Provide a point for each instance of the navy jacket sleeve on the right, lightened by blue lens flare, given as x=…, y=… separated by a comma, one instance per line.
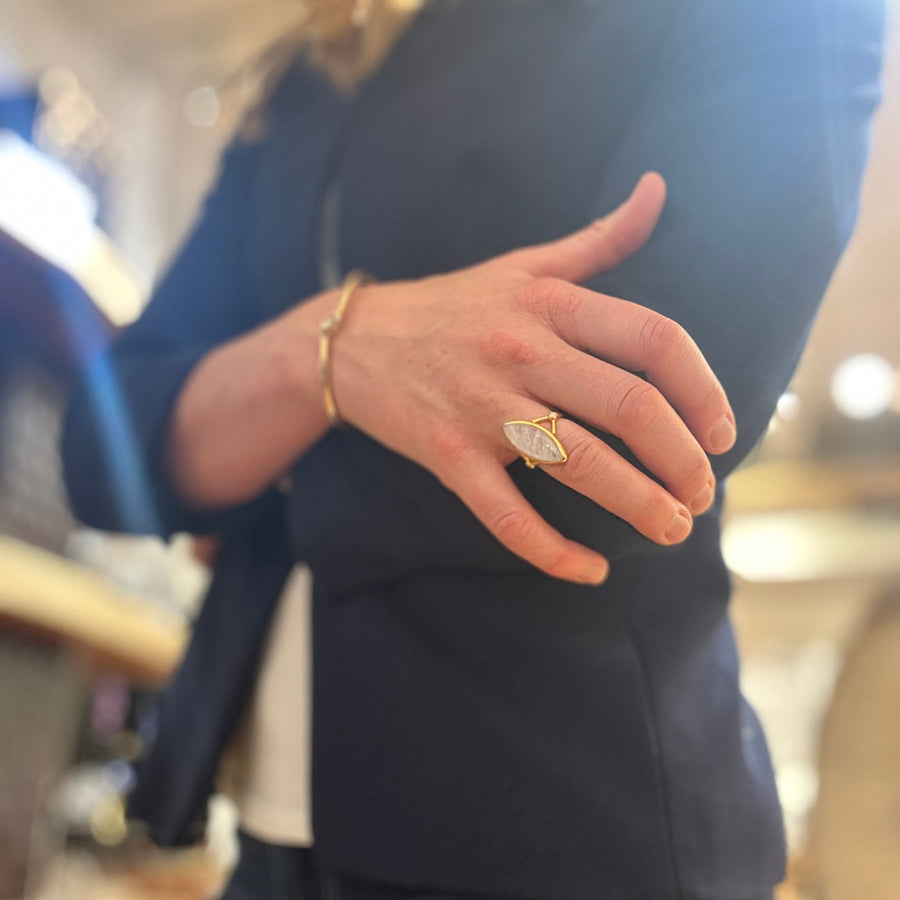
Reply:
x=758, y=117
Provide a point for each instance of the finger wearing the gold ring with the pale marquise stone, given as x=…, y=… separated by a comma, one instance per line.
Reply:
x=598, y=472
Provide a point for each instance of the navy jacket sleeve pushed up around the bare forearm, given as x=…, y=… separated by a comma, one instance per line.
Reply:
x=116, y=422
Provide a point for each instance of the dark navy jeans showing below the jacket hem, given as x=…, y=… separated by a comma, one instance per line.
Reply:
x=268, y=872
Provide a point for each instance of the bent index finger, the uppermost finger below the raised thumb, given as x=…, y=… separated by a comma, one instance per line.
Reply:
x=639, y=339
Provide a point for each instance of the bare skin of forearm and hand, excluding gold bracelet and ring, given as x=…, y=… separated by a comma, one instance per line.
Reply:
x=432, y=368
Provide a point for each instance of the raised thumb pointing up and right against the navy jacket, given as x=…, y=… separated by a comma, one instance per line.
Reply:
x=603, y=244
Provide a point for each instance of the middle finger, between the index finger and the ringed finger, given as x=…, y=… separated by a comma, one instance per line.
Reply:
x=621, y=403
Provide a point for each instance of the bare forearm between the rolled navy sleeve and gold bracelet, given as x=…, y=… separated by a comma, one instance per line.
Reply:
x=249, y=409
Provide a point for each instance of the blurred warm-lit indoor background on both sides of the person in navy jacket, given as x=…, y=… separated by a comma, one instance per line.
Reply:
x=111, y=118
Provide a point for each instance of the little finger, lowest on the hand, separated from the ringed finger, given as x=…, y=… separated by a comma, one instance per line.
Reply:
x=486, y=488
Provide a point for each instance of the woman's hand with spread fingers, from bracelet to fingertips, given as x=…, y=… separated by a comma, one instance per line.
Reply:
x=433, y=368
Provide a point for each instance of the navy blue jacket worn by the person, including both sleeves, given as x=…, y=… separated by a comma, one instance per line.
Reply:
x=478, y=726
